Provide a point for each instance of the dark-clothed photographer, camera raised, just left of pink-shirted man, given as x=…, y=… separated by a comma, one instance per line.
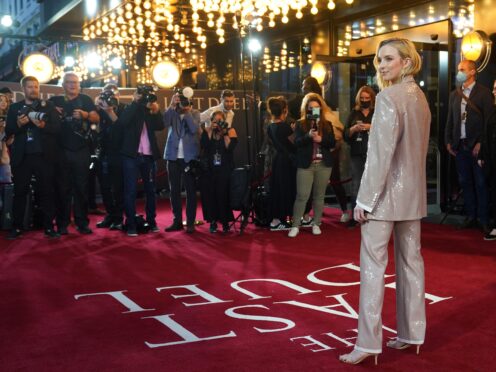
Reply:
x=109, y=158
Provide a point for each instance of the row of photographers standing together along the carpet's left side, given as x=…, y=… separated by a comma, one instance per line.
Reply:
x=60, y=142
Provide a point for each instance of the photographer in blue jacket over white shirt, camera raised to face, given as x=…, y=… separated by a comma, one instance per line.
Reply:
x=182, y=146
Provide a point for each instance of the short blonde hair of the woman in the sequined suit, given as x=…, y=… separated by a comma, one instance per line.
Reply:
x=406, y=49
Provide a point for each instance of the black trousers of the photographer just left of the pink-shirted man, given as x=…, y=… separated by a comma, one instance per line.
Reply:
x=112, y=186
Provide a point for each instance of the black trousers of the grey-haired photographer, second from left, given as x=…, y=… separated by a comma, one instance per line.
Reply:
x=72, y=187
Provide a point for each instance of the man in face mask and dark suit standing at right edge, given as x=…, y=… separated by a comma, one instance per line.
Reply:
x=470, y=107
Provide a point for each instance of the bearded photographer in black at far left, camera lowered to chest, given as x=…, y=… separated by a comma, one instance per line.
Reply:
x=35, y=125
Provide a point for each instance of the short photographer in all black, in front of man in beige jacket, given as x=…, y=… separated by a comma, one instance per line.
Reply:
x=217, y=145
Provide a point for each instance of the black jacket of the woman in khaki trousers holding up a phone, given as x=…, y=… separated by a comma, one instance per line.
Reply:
x=304, y=146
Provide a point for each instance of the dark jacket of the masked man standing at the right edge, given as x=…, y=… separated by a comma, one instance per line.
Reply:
x=481, y=97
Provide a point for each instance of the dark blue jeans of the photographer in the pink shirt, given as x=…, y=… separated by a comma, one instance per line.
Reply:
x=144, y=166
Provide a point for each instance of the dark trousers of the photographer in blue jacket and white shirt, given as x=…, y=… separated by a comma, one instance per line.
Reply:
x=176, y=174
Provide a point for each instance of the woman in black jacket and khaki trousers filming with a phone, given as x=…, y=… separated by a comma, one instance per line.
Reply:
x=314, y=139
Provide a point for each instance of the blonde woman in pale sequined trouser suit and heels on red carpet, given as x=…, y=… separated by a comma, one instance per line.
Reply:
x=392, y=199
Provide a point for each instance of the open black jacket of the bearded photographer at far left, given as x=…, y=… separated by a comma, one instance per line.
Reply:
x=49, y=133
